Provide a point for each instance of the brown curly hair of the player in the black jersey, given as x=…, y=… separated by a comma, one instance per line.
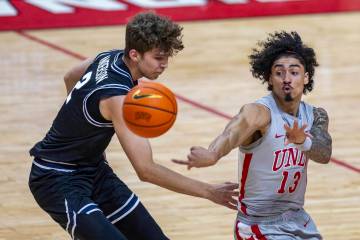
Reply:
x=146, y=31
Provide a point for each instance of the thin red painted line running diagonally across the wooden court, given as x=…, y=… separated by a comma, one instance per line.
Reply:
x=184, y=99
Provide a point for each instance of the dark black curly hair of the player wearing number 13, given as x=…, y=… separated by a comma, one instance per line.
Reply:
x=277, y=45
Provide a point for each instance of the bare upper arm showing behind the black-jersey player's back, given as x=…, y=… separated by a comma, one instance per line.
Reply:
x=74, y=74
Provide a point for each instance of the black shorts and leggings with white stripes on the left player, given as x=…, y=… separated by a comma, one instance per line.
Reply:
x=90, y=202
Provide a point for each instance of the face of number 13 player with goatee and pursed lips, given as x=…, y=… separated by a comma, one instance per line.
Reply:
x=288, y=78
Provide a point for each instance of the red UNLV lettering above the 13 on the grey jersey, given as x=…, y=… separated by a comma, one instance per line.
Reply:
x=288, y=157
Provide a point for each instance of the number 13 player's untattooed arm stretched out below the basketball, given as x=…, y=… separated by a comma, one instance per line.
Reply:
x=239, y=131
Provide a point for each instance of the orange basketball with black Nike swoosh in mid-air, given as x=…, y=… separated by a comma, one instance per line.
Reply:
x=150, y=109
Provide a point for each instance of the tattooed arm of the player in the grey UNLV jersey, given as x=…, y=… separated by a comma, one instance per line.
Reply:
x=321, y=142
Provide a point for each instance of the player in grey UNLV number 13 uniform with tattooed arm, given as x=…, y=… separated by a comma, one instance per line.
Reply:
x=277, y=135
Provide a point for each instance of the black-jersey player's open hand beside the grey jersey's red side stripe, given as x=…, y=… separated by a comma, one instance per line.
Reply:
x=225, y=194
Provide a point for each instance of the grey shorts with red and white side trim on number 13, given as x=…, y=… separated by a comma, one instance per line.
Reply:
x=293, y=224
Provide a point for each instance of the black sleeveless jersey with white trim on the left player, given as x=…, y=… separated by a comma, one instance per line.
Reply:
x=79, y=134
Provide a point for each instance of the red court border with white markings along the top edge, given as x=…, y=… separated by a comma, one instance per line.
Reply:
x=40, y=14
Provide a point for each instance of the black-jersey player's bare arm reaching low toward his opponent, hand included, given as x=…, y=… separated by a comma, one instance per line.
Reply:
x=139, y=152
